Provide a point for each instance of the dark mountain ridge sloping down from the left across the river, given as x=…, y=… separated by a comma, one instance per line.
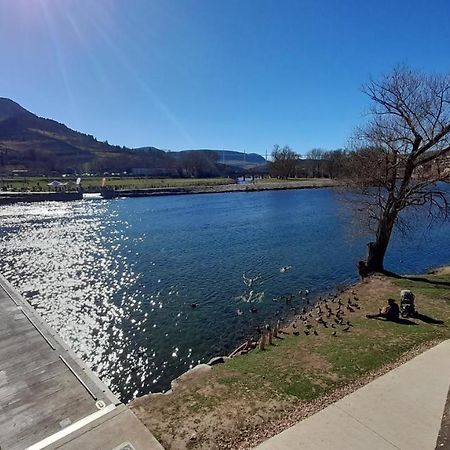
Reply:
x=44, y=146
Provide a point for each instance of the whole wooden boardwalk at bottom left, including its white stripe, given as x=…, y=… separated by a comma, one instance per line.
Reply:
x=47, y=395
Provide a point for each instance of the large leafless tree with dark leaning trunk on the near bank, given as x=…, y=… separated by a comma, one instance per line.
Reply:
x=402, y=155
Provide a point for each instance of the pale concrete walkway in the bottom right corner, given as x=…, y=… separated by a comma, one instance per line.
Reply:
x=403, y=409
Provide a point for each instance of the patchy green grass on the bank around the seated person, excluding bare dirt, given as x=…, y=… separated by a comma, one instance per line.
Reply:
x=307, y=367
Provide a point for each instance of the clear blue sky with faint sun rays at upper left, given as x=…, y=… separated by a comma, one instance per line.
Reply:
x=232, y=74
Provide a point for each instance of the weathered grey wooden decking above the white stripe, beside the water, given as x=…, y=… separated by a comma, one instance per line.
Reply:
x=37, y=390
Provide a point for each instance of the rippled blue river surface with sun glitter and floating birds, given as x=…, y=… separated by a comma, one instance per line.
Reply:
x=117, y=278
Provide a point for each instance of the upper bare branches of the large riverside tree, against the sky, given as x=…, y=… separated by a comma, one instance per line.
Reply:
x=410, y=108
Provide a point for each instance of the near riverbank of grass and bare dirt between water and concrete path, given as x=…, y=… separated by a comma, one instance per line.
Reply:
x=253, y=396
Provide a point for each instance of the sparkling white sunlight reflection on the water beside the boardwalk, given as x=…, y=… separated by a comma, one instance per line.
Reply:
x=68, y=261
